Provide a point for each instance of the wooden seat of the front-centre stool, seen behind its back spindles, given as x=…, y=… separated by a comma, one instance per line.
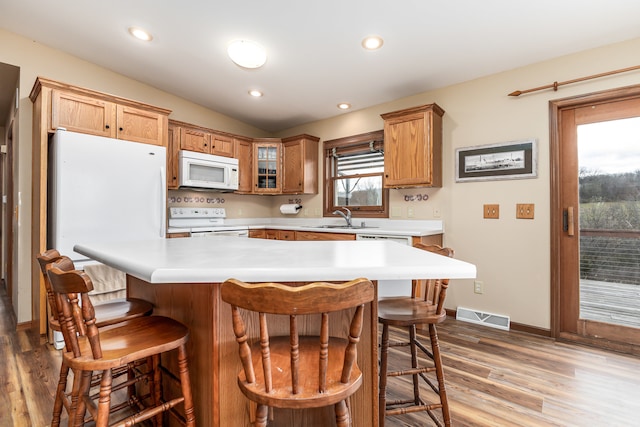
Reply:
x=309, y=392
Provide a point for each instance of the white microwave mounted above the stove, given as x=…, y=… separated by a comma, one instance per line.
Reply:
x=207, y=171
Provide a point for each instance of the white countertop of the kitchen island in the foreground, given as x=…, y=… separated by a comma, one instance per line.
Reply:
x=212, y=260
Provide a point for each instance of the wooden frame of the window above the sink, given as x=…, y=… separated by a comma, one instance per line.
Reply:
x=354, y=144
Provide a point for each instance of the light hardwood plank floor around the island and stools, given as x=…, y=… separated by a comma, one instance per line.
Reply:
x=494, y=378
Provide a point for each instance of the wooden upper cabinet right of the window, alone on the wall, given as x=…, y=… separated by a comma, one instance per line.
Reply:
x=413, y=147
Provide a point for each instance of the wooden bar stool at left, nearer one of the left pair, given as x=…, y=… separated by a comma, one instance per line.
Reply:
x=112, y=348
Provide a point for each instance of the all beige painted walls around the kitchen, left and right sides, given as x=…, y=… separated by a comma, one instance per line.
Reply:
x=512, y=255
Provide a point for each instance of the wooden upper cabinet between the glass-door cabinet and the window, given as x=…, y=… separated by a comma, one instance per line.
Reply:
x=300, y=165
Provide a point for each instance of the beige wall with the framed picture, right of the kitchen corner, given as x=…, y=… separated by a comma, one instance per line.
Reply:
x=512, y=256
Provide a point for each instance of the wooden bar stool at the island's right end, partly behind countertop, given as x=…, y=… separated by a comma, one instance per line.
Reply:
x=408, y=312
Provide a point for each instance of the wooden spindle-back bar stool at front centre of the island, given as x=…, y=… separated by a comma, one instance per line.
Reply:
x=297, y=371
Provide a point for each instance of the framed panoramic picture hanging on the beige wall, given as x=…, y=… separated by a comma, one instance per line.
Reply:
x=507, y=160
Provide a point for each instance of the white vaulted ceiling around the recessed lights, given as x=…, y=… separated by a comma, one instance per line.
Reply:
x=315, y=59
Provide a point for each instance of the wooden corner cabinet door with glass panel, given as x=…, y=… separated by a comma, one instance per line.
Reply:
x=267, y=171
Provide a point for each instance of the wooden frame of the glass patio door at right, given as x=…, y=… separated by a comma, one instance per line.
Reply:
x=565, y=311
